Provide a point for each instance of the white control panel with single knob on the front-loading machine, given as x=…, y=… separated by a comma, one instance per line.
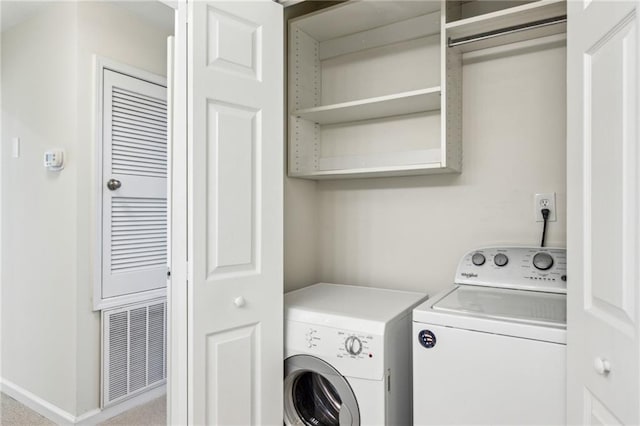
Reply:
x=353, y=353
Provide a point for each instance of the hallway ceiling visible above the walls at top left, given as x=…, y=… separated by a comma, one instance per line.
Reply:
x=13, y=12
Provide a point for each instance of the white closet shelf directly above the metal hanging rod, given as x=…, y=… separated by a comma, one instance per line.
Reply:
x=519, y=15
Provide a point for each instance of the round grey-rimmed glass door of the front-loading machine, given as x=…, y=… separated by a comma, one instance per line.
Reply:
x=316, y=394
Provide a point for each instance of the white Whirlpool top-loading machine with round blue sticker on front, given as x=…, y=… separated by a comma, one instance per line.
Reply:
x=491, y=348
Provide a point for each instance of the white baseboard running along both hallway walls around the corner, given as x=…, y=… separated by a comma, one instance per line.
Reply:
x=62, y=417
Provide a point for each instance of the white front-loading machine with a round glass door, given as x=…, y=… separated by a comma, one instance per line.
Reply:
x=348, y=358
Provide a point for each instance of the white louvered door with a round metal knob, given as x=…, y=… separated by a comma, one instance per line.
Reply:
x=134, y=191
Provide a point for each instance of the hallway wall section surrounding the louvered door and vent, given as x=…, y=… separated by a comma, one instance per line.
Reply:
x=115, y=33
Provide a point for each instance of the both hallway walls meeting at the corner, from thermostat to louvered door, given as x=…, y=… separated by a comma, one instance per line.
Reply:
x=51, y=336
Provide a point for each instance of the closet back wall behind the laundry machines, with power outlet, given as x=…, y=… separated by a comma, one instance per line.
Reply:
x=410, y=232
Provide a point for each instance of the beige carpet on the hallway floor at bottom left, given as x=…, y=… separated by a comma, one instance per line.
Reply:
x=153, y=413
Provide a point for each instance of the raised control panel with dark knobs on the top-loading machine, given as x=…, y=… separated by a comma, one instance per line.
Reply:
x=529, y=268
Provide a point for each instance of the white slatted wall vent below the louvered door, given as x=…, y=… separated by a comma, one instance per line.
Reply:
x=134, y=355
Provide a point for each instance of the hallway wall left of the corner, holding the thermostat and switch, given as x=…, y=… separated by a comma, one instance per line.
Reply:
x=39, y=217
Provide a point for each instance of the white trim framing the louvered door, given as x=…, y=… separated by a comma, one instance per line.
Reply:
x=100, y=64
